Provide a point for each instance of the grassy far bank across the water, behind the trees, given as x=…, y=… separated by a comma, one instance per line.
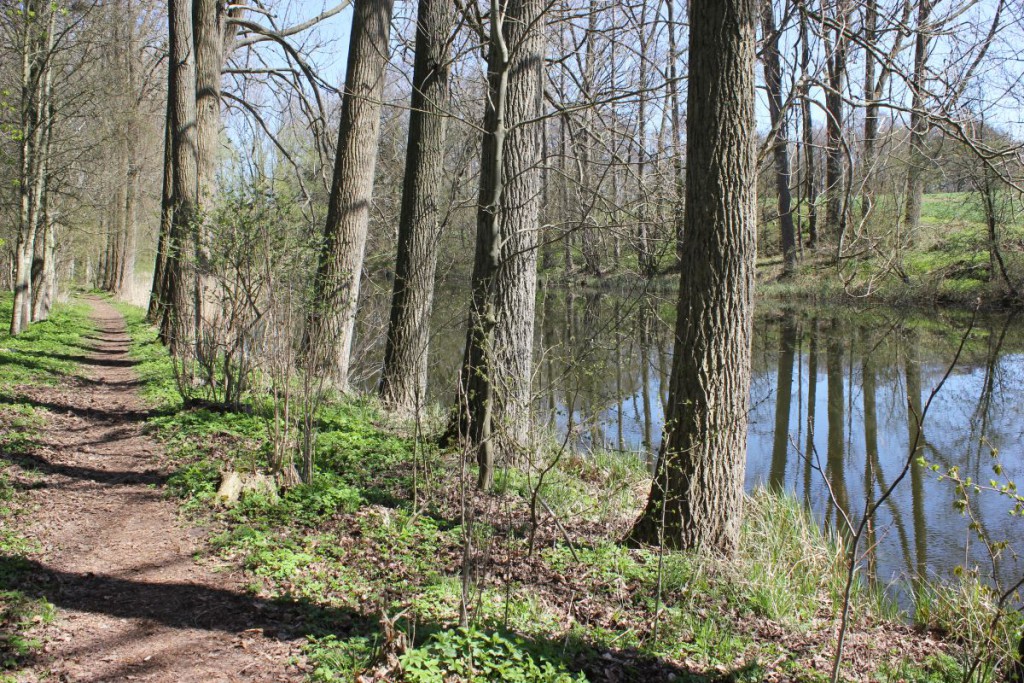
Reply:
x=948, y=263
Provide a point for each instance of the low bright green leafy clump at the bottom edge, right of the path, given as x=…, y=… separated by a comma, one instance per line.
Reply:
x=474, y=657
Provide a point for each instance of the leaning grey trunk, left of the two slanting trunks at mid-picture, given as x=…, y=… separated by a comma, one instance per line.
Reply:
x=332, y=322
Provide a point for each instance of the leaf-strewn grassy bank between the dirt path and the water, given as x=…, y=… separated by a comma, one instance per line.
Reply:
x=373, y=556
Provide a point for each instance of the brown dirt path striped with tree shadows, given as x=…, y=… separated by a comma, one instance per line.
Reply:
x=133, y=605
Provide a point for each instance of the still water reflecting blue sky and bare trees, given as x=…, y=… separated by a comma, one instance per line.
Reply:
x=836, y=401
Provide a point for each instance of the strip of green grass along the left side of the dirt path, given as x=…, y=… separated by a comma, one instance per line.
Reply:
x=44, y=355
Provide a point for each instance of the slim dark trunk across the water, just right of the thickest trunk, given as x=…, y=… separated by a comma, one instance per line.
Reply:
x=781, y=148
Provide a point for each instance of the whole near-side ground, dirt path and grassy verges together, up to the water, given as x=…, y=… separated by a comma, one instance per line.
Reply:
x=117, y=564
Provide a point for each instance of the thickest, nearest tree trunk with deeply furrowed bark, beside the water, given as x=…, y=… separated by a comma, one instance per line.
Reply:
x=697, y=497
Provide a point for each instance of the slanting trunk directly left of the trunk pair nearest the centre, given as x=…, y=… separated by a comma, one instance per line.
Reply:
x=404, y=378
